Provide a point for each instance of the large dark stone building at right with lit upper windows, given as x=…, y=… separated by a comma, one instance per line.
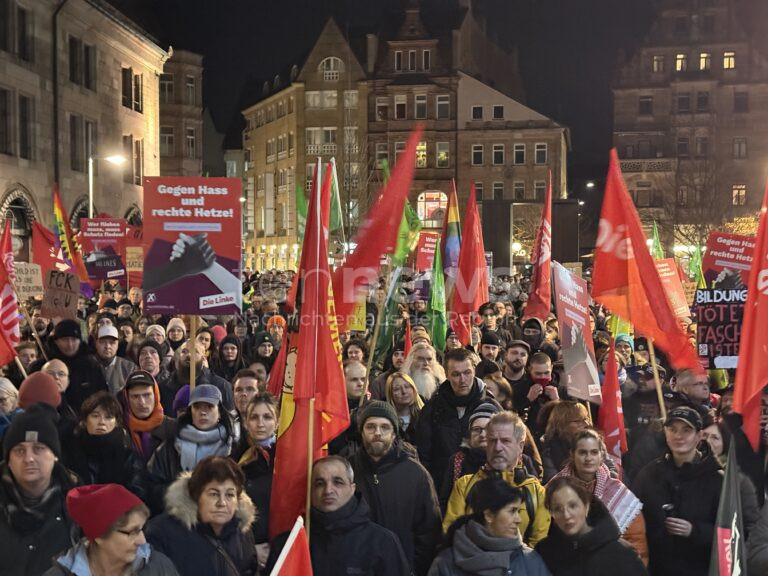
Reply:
x=691, y=121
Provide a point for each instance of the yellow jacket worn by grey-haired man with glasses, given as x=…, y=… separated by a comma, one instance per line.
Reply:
x=533, y=500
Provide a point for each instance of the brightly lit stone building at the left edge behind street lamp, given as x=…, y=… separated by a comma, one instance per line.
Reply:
x=98, y=97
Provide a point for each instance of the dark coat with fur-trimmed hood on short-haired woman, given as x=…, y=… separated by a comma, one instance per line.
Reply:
x=192, y=546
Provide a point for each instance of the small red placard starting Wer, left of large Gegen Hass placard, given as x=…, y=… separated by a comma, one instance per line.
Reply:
x=103, y=247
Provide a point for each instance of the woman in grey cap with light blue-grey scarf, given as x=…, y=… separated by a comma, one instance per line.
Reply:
x=205, y=429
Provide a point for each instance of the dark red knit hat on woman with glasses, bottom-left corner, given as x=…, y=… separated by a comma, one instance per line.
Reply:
x=96, y=507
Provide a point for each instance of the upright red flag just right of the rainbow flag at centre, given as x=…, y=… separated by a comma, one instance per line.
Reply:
x=471, y=287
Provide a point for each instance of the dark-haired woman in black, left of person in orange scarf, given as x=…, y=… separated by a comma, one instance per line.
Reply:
x=100, y=450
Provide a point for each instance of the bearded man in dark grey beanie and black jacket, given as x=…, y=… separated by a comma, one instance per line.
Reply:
x=382, y=469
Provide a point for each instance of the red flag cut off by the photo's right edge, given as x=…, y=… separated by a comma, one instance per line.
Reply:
x=752, y=371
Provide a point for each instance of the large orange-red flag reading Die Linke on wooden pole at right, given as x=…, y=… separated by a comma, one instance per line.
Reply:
x=625, y=279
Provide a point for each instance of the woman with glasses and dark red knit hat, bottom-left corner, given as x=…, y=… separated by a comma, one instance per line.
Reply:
x=112, y=522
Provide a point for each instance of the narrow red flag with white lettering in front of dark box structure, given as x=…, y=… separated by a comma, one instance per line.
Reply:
x=540, y=298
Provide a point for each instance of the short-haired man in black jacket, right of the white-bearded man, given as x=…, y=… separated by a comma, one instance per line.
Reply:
x=444, y=420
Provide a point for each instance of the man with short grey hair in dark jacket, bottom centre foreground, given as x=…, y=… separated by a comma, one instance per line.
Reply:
x=342, y=537
